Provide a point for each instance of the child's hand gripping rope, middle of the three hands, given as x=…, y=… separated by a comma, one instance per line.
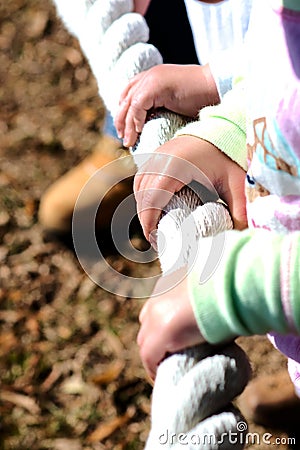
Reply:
x=177, y=163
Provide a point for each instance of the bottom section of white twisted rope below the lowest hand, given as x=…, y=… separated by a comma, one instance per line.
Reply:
x=192, y=395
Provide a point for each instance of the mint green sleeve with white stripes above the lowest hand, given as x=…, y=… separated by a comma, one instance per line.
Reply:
x=253, y=289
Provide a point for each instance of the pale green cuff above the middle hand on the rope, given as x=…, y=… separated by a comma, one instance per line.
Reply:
x=223, y=125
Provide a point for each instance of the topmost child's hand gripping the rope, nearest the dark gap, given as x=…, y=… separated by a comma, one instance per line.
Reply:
x=183, y=89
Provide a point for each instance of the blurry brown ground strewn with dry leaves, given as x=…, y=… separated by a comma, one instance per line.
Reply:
x=71, y=377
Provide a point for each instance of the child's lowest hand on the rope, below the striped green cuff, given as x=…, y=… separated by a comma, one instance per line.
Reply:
x=167, y=322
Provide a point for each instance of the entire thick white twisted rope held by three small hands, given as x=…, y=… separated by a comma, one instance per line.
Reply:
x=194, y=389
